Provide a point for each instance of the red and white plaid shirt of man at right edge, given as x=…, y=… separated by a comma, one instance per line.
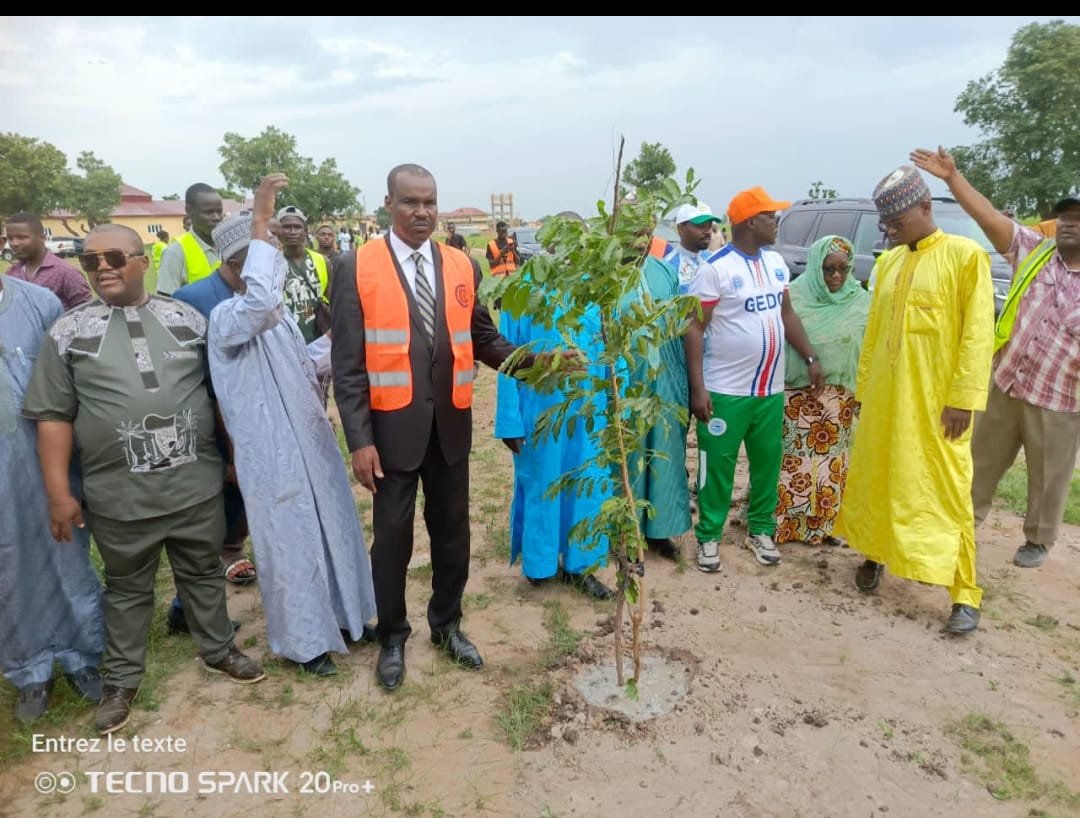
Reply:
x=1041, y=364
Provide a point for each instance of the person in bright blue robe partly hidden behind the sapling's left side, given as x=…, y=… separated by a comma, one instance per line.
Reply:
x=539, y=528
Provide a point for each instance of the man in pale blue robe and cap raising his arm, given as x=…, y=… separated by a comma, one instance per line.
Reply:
x=314, y=570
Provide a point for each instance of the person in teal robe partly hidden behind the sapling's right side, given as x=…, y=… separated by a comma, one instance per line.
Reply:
x=664, y=479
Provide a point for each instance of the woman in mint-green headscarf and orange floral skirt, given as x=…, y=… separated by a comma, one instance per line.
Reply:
x=818, y=430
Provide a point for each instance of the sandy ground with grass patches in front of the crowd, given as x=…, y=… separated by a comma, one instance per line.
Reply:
x=806, y=700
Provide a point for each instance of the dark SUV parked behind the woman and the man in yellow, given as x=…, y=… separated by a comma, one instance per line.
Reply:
x=857, y=220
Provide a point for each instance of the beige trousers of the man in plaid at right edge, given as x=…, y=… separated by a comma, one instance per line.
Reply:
x=1050, y=441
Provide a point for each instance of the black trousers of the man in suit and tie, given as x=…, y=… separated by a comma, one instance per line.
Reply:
x=447, y=518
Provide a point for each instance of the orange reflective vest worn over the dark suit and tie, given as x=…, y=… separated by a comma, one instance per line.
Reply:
x=388, y=328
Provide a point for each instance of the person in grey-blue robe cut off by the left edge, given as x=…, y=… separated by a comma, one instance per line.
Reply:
x=51, y=604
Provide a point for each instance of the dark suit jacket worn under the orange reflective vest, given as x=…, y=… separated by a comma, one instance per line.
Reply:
x=402, y=436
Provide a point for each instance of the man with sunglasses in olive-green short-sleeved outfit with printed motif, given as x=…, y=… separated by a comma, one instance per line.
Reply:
x=126, y=376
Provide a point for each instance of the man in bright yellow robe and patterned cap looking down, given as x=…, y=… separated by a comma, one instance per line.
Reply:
x=924, y=371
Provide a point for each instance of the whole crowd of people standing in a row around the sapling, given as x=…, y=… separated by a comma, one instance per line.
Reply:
x=192, y=415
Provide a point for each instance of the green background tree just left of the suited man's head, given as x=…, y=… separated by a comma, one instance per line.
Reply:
x=319, y=191
